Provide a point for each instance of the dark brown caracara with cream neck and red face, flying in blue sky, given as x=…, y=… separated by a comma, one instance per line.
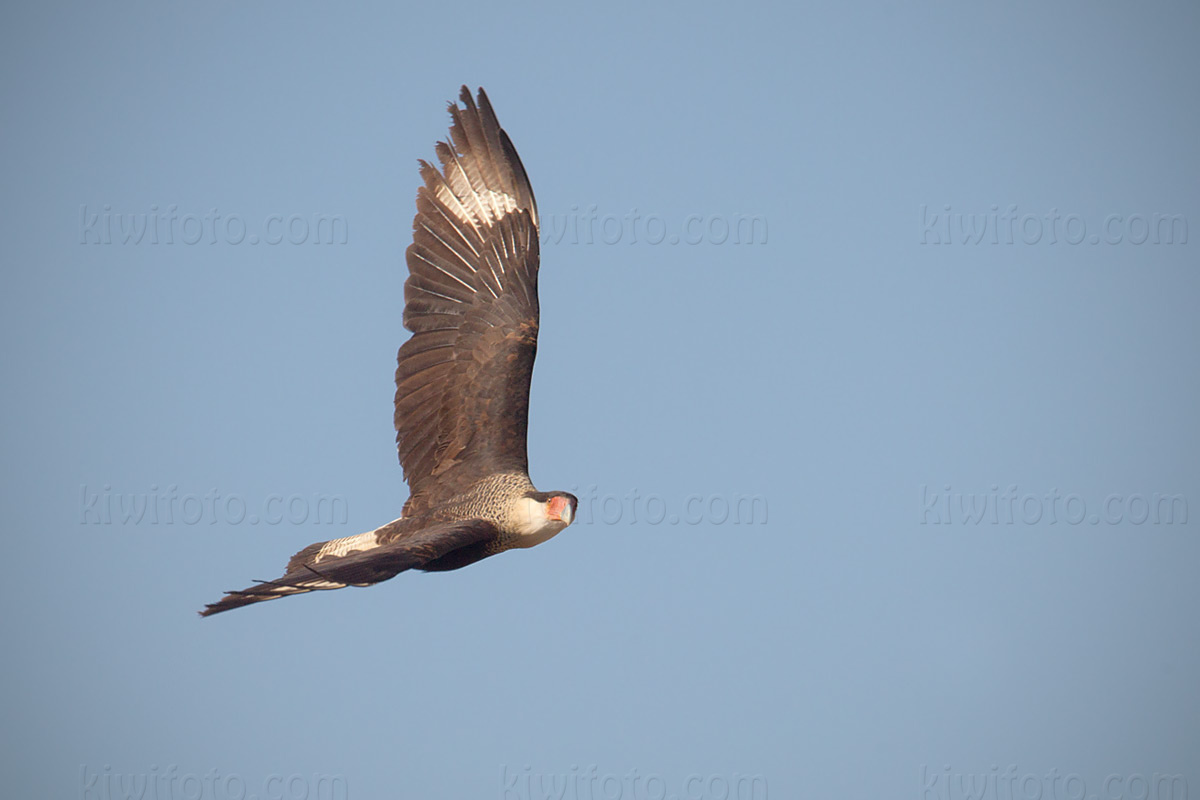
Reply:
x=463, y=381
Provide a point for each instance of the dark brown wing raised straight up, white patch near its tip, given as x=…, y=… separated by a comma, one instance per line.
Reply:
x=463, y=381
